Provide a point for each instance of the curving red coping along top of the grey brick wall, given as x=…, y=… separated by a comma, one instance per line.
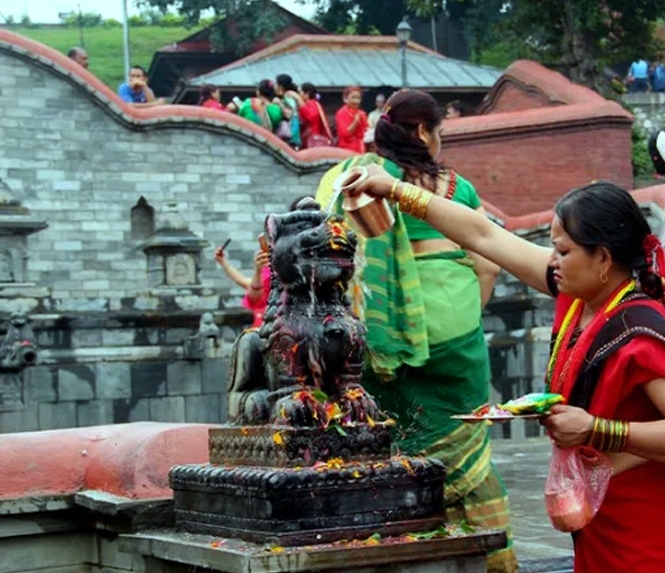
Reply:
x=167, y=115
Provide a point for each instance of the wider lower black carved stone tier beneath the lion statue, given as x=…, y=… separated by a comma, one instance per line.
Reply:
x=325, y=503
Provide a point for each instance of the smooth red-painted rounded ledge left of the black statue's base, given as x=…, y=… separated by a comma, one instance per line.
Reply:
x=128, y=460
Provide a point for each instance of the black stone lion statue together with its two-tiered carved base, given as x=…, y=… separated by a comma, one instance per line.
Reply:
x=307, y=457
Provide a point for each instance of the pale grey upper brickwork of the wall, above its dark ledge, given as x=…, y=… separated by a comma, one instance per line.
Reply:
x=81, y=163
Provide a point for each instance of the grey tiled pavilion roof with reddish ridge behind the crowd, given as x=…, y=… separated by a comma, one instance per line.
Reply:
x=339, y=61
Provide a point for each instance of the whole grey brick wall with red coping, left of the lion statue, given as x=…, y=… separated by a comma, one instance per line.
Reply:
x=95, y=179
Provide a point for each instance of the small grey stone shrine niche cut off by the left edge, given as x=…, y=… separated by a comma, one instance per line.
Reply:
x=16, y=223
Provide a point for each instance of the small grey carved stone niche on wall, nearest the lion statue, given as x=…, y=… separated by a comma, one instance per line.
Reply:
x=174, y=252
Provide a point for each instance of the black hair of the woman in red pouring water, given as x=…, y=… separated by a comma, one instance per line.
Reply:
x=603, y=214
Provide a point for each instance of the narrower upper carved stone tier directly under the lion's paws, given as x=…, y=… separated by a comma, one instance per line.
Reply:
x=284, y=446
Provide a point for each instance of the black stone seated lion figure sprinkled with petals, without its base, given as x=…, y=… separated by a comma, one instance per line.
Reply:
x=305, y=362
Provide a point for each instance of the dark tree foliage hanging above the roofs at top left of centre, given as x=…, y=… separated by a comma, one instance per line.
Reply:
x=236, y=24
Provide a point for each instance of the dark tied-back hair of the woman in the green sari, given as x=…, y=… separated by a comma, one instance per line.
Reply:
x=396, y=133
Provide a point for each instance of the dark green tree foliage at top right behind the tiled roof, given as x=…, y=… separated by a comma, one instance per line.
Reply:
x=577, y=36
